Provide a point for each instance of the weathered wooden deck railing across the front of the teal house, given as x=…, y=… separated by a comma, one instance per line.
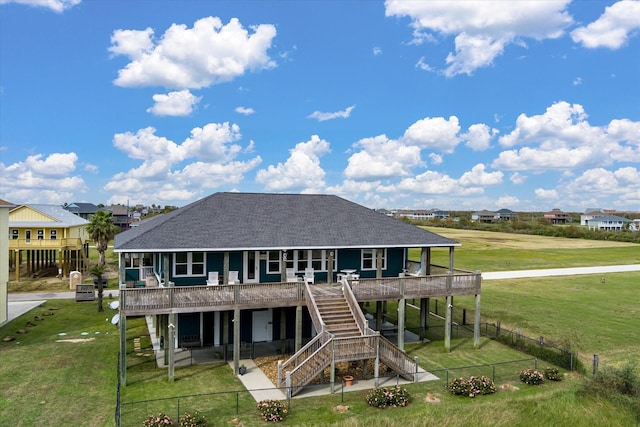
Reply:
x=185, y=299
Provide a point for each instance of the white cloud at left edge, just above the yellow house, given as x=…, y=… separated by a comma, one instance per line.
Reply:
x=42, y=179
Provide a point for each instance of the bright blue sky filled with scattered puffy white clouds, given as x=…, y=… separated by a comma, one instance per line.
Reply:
x=400, y=104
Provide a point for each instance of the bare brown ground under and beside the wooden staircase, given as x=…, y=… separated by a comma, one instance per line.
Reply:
x=269, y=366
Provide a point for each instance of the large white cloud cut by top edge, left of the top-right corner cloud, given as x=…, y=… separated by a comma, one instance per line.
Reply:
x=482, y=29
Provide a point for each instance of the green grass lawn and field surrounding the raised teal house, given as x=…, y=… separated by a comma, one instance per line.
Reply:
x=49, y=379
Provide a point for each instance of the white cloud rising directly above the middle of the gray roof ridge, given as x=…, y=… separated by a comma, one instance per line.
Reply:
x=301, y=171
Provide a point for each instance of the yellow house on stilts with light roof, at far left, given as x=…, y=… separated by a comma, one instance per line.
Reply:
x=46, y=237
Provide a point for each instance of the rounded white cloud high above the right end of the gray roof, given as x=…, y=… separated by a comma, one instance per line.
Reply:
x=434, y=133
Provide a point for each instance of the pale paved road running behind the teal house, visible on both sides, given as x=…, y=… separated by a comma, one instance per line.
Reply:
x=22, y=303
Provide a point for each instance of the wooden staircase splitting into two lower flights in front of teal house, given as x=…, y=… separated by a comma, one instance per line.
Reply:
x=343, y=336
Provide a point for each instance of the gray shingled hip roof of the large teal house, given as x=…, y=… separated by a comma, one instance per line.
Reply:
x=239, y=221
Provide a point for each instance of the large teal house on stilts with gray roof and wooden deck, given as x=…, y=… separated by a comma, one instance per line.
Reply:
x=288, y=255
